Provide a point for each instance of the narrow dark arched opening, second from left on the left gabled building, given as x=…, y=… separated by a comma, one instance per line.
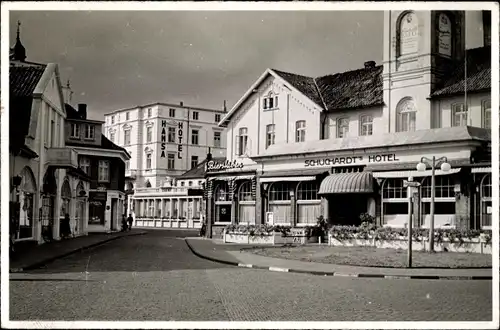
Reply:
x=49, y=192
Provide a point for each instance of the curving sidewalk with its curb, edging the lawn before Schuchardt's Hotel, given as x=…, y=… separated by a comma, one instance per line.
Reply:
x=234, y=255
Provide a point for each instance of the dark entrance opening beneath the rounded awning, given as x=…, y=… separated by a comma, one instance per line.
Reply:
x=345, y=209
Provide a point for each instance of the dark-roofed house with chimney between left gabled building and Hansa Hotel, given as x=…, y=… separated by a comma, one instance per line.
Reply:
x=104, y=163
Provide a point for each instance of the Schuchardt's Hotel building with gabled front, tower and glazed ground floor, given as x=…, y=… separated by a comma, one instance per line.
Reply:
x=342, y=145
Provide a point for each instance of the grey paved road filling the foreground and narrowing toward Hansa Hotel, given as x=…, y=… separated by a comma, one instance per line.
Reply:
x=156, y=277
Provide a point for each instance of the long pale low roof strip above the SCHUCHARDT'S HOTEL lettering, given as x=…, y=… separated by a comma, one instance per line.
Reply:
x=449, y=134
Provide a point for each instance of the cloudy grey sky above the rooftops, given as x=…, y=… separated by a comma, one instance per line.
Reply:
x=123, y=59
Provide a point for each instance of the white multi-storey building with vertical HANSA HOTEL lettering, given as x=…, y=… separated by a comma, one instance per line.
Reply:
x=164, y=140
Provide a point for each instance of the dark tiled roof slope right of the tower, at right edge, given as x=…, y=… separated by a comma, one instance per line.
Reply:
x=478, y=74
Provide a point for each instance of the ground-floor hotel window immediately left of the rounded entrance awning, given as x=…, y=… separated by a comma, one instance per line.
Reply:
x=308, y=203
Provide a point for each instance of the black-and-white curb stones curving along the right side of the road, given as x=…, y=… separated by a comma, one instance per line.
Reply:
x=337, y=274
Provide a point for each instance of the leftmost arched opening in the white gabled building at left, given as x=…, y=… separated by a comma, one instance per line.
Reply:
x=27, y=191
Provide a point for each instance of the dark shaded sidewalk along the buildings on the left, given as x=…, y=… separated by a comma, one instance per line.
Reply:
x=48, y=252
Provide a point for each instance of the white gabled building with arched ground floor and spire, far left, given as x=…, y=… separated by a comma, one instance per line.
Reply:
x=45, y=178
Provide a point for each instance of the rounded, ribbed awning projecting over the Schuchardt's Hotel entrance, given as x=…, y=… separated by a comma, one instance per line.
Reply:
x=341, y=183
